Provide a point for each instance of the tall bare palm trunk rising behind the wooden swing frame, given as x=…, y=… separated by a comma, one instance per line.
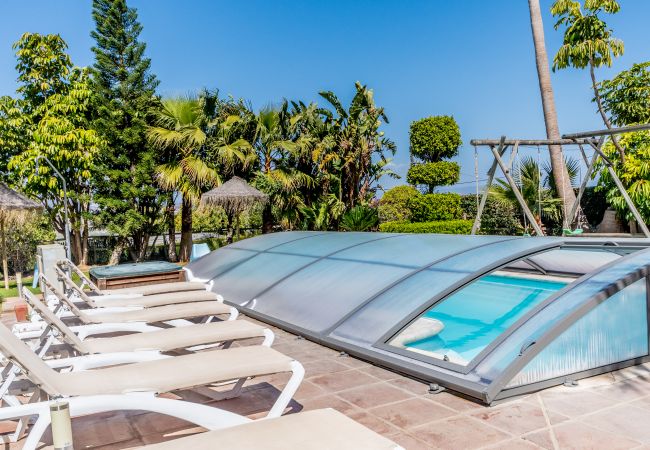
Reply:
x=558, y=165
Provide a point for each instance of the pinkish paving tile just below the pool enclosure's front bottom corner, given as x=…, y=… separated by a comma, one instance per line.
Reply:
x=517, y=418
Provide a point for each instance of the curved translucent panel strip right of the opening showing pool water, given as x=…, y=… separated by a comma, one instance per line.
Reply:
x=530, y=331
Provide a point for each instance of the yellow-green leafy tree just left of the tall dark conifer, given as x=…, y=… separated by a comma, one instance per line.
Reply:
x=55, y=108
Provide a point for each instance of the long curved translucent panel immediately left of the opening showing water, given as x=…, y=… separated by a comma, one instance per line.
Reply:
x=378, y=317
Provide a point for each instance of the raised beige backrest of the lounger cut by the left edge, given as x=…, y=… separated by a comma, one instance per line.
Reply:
x=35, y=369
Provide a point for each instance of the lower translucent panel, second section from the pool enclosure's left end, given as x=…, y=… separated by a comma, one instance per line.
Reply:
x=251, y=277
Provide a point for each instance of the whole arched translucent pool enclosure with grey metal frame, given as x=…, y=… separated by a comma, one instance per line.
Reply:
x=488, y=316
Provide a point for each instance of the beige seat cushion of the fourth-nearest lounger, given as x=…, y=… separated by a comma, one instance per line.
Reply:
x=159, y=313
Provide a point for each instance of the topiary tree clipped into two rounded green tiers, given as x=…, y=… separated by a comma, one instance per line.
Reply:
x=434, y=139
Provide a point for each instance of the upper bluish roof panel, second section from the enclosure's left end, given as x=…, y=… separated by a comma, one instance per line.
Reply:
x=329, y=243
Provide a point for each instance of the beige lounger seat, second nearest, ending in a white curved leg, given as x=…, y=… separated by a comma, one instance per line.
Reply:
x=177, y=373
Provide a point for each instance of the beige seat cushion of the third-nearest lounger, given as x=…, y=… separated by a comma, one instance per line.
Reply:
x=175, y=338
